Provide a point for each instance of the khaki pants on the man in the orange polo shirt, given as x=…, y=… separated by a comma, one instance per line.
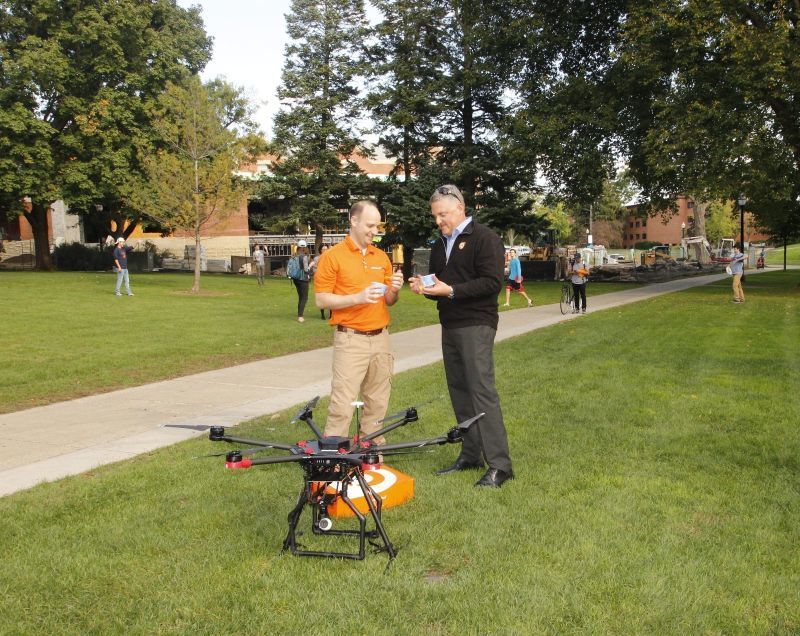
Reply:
x=361, y=365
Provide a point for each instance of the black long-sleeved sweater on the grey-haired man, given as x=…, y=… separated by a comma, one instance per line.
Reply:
x=475, y=272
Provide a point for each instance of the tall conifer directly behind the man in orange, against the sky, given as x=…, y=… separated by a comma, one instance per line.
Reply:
x=315, y=130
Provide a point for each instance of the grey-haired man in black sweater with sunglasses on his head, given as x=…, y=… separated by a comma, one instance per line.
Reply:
x=467, y=263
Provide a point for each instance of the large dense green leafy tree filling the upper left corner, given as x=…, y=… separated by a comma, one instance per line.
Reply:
x=74, y=82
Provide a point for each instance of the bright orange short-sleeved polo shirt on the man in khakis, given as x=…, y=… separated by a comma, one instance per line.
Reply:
x=344, y=270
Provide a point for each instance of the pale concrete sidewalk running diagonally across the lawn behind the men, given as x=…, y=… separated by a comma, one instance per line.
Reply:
x=67, y=438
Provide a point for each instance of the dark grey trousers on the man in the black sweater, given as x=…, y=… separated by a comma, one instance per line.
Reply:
x=469, y=366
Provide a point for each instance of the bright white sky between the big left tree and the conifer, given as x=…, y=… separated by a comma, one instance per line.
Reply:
x=249, y=42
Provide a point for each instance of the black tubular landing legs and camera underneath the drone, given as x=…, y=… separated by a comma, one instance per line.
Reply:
x=313, y=494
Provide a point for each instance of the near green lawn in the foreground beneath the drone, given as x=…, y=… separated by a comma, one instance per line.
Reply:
x=656, y=449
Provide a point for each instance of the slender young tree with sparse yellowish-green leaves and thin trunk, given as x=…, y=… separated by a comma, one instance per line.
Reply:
x=191, y=182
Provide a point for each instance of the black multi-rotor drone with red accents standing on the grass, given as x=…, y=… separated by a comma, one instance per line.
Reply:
x=332, y=466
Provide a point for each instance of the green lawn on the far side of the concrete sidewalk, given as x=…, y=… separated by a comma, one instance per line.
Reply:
x=67, y=335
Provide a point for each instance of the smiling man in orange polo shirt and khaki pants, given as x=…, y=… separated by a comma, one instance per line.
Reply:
x=354, y=279
